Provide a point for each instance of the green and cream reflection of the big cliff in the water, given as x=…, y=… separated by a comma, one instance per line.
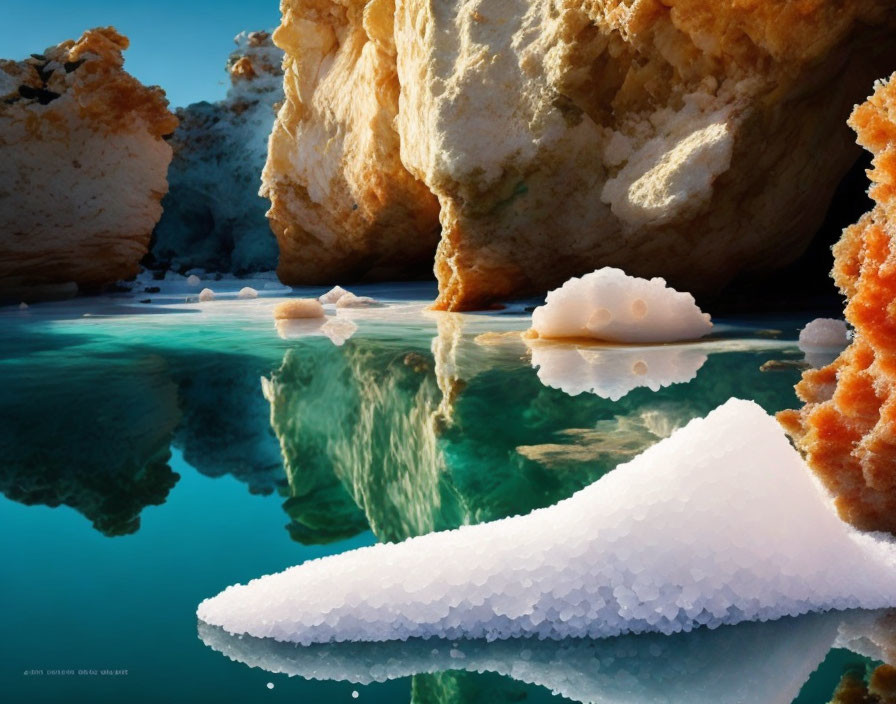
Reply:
x=413, y=435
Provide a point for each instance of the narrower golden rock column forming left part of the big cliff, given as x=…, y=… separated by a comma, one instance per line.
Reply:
x=343, y=205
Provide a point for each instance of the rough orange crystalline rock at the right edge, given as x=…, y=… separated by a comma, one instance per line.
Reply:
x=847, y=429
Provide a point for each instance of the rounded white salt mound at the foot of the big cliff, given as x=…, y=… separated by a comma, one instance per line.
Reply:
x=610, y=305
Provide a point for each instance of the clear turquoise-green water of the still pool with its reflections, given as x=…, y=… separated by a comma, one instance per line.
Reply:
x=189, y=447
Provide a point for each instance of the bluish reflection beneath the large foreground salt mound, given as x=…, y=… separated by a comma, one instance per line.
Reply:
x=755, y=662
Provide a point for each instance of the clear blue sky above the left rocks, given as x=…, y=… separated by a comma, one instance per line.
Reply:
x=181, y=45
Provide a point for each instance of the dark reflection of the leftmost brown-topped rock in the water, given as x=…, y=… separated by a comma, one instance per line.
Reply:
x=94, y=438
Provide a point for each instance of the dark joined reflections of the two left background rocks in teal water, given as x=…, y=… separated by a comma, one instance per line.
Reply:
x=86, y=426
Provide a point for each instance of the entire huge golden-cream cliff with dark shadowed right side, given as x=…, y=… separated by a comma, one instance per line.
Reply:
x=664, y=138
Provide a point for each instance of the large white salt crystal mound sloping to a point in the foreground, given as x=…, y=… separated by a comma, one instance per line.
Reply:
x=719, y=523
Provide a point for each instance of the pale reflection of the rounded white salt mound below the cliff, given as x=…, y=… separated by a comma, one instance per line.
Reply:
x=613, y=372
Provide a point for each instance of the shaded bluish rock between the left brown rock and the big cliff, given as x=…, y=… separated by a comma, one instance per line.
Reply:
x=214, y=218
